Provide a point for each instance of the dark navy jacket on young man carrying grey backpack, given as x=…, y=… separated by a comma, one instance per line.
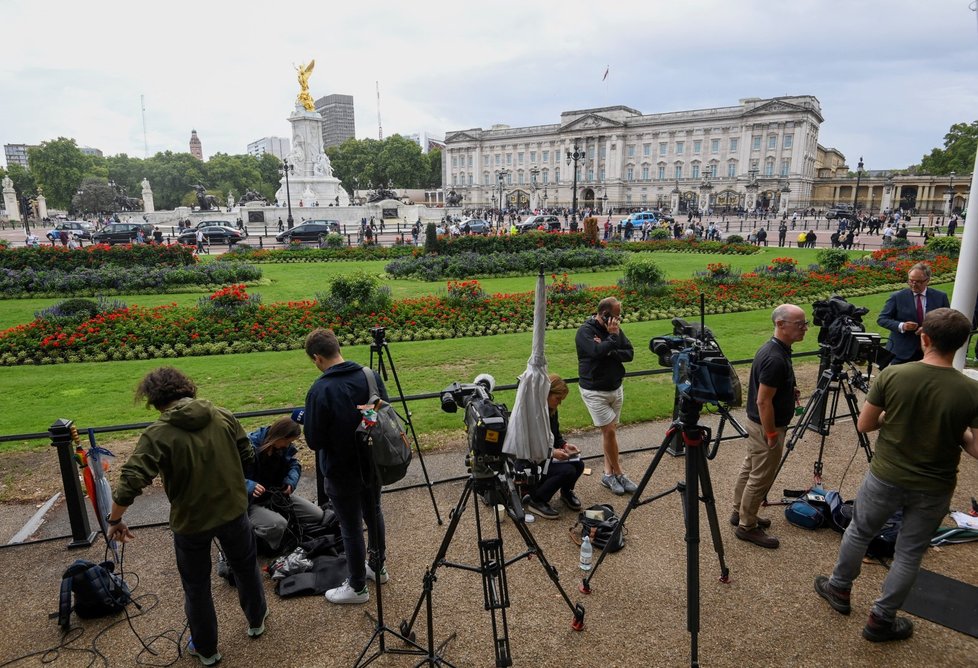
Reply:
x=330, y=425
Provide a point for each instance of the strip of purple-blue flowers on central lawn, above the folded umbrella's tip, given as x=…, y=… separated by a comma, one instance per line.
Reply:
x=469, y=264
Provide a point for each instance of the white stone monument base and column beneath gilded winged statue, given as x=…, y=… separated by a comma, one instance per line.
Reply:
x=312, y=177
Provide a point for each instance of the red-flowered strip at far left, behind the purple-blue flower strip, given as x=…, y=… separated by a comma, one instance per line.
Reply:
x=98, y=255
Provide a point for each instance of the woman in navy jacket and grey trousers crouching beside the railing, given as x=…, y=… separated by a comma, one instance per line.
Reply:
x=271, y=481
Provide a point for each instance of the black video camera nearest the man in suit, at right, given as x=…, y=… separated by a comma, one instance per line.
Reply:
x=844, y=335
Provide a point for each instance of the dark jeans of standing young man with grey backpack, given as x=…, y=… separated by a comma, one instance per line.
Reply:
x=352, y=511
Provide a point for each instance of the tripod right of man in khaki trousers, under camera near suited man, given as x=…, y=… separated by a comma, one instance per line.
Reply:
x=833, y=381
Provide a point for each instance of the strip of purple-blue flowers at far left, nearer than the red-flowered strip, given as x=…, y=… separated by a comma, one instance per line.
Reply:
x=119, y=279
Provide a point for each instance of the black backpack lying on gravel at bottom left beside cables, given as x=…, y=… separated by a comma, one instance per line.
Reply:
x=97, y=589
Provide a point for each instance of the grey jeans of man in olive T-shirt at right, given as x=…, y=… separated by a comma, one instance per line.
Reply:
x=875, y=503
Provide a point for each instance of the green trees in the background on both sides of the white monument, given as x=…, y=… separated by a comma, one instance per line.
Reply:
x=72, y=180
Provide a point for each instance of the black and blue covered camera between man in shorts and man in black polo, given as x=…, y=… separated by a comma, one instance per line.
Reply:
x=700, y=371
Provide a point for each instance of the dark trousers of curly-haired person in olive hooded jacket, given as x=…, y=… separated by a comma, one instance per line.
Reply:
x=194, y=564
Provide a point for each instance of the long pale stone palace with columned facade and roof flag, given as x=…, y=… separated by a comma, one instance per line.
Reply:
x=760, y=153
